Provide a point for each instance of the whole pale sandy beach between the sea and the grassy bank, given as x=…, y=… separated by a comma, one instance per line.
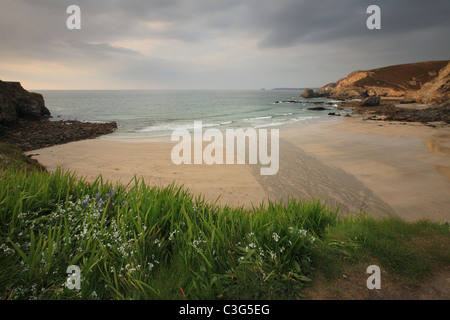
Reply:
x=384, y=169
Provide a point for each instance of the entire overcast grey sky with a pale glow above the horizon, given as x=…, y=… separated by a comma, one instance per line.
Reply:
x=212, y=44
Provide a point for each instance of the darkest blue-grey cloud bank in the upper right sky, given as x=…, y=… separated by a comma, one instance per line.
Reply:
x=318, y=21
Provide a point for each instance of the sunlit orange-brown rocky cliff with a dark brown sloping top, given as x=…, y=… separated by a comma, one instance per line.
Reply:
x=423, y=82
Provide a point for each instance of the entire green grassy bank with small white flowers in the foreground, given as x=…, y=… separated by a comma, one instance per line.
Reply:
x=143, y=242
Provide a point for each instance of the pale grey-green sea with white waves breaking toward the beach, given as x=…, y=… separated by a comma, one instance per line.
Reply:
x=157, y=113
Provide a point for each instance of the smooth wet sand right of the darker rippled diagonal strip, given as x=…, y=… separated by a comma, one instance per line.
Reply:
x=405, y=165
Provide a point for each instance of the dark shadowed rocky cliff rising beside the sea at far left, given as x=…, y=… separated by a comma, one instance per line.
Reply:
x=16, y=103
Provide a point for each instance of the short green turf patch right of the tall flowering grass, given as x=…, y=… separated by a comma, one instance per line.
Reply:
x=408, y=251
